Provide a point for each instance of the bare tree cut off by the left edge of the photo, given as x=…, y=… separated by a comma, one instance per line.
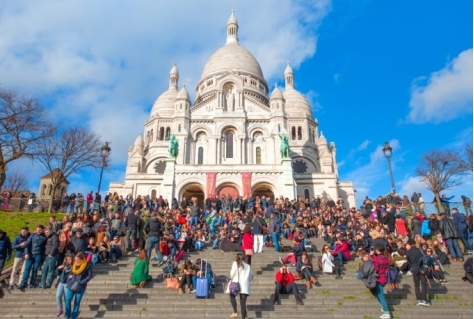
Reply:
x=23, y=124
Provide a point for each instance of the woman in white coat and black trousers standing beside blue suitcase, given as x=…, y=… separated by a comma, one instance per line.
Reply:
x=242, y=273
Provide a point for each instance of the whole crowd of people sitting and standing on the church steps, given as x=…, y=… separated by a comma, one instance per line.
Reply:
x=97, y=231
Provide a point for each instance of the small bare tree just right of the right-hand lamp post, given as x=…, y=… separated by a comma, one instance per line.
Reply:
x=440, y=170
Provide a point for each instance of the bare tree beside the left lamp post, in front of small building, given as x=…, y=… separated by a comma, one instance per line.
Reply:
x=73, y=150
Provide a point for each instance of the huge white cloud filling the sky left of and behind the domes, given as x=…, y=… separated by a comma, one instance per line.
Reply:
x=102, y=64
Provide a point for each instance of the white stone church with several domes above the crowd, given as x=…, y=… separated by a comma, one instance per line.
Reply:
x=229, y=137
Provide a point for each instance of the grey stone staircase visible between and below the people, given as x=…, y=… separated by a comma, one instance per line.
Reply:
x=110, y=295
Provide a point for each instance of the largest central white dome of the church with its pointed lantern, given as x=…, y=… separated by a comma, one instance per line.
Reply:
x=232, y=56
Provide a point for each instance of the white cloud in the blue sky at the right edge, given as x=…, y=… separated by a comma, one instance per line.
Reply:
x=444, y=95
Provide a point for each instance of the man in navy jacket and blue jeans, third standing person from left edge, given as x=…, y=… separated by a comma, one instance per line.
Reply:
x=34, y=254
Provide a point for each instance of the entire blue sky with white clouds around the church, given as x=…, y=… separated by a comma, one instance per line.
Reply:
x=374, y=71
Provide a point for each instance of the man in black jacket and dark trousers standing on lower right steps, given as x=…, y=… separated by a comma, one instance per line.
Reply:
x=420, y=280
